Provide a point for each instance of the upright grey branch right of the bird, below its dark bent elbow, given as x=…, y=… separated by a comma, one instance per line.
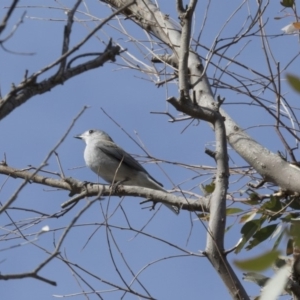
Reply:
x=217, y=219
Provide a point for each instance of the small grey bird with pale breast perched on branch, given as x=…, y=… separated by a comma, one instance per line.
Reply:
x=114, y=164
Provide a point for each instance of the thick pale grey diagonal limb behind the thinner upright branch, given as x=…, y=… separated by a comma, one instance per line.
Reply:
x=269, y=165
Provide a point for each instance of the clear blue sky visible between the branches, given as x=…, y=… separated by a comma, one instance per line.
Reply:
x=128, y=97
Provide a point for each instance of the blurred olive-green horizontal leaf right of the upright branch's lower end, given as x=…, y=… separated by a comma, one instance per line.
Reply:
x=258, y=263
